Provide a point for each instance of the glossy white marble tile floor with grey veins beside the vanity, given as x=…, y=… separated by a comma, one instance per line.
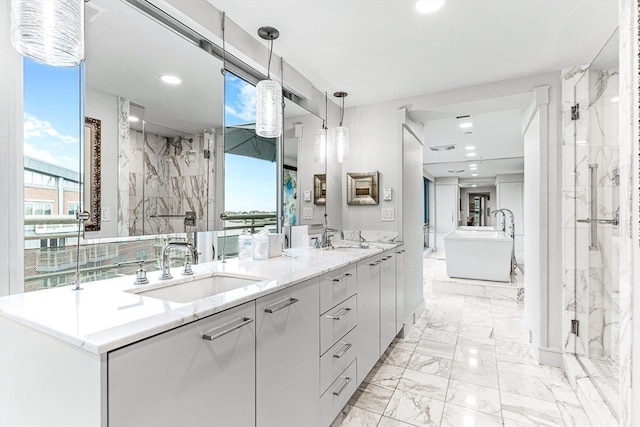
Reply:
x=464, y=363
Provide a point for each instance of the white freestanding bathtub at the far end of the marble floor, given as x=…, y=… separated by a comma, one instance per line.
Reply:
x=480, y=255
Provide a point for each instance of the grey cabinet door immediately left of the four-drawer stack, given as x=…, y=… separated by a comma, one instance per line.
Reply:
x=288, y=357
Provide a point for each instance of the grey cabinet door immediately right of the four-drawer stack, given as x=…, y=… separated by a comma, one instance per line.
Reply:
x=368, y=272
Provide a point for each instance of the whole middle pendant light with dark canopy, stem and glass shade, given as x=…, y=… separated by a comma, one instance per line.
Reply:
x=268, y=95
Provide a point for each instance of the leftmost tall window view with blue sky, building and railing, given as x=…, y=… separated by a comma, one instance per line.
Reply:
x=51, y=169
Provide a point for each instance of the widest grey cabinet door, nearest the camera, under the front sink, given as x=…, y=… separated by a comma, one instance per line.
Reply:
x=200, y=374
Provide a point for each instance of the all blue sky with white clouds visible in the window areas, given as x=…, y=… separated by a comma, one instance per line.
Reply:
x=52, y=129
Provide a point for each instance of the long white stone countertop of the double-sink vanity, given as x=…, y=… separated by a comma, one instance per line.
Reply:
x=103, y=316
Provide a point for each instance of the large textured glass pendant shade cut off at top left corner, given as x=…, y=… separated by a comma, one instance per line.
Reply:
x=49, y=31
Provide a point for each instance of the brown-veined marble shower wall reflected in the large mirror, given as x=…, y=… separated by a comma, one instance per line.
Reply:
x=159, y=180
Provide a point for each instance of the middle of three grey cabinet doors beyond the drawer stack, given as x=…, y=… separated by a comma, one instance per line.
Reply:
x=387, y=299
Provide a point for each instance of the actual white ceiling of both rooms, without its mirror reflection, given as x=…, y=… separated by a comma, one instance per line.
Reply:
x=380, y=50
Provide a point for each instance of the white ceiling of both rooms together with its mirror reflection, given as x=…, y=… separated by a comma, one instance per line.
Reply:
x=376, y=50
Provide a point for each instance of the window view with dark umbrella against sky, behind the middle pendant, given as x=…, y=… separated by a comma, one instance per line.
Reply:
x=249, y=163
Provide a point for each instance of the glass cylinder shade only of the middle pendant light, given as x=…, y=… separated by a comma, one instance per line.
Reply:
x=268, y=109
